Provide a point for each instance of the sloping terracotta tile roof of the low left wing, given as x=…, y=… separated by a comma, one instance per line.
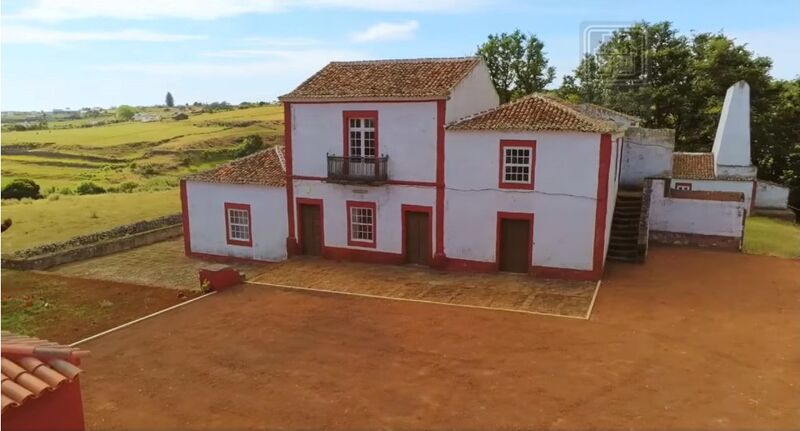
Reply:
x=266, y=167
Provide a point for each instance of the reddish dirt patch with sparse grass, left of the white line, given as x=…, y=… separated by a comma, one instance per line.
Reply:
x=66, y=309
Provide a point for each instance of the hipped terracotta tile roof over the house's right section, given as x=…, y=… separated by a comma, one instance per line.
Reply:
x=534, y=113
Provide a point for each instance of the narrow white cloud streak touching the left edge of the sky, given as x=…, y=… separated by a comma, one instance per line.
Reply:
x=24, y=34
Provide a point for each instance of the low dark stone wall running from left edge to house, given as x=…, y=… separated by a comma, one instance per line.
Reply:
x=97, y=244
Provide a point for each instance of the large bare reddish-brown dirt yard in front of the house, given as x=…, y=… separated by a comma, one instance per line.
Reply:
x=693, y=339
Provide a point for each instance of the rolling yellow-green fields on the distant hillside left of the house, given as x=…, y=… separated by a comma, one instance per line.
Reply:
x=153, y=155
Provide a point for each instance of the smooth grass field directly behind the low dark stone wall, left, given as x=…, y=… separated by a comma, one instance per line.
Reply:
x=44, y=221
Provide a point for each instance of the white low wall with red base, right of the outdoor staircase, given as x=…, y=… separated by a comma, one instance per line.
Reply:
x=700, y=218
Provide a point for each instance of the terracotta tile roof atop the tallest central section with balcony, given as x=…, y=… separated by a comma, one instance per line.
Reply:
x=380, y=79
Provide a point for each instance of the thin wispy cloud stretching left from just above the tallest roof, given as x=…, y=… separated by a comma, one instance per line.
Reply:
x=277, y=64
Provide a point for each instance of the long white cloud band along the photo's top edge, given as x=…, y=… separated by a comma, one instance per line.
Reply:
x=62, y=10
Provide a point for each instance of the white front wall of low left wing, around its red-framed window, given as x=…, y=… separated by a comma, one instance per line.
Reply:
x=206, y=205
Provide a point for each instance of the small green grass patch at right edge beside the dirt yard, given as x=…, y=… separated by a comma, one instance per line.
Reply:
x=772, y=237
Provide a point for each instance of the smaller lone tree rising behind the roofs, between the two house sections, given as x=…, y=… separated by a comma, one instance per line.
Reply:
x=517, y=64
